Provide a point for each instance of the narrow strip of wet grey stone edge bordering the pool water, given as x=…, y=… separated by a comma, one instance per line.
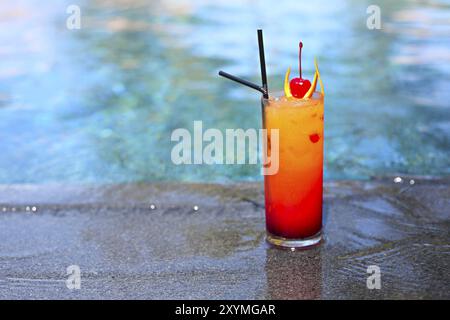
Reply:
x=184, y=193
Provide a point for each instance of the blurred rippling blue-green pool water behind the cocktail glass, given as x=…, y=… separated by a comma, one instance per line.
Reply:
x=99, y=104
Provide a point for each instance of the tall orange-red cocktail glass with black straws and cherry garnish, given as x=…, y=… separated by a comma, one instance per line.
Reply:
x=293, y=194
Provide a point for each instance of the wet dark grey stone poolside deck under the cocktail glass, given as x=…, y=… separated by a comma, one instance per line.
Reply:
x=126, y=250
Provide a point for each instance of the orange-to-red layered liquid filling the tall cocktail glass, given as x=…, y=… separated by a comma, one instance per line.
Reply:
x=293, y=196
